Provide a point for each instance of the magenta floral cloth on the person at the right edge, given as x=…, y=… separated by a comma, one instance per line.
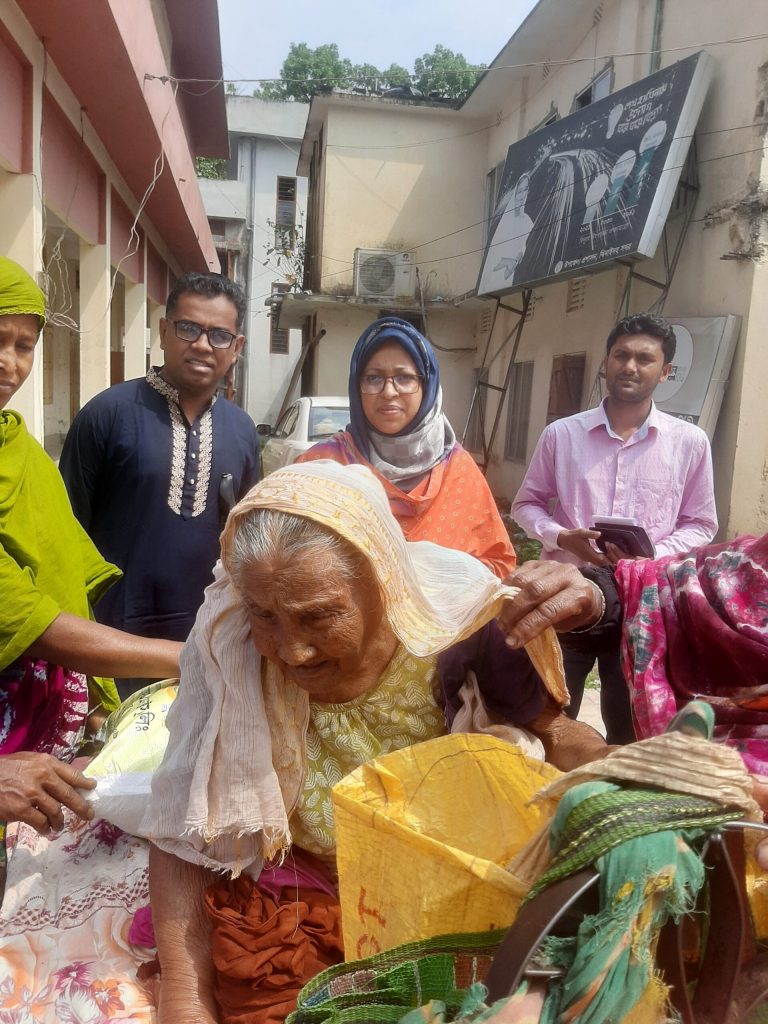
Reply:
x=697, y=626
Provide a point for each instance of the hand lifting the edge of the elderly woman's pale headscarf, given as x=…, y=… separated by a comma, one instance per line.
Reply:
x=551, y=594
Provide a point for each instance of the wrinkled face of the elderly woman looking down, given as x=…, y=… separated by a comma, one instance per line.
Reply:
x=326, y=632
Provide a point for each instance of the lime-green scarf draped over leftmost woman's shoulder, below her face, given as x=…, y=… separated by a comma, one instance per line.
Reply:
x=48, y=563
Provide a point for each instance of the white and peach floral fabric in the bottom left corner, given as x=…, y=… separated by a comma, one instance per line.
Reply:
x=66, y=957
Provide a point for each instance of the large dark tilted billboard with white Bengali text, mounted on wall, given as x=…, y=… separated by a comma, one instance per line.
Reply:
x=596, y=186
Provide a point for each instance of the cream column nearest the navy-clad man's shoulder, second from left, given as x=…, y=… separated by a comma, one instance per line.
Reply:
x=96, y=281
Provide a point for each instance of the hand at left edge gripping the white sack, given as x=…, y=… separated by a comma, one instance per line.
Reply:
x=34, y=788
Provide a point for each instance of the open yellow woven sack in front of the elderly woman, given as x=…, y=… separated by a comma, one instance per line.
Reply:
x=422, y=835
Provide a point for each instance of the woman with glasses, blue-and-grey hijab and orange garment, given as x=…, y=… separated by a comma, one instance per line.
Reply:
x=399, y=431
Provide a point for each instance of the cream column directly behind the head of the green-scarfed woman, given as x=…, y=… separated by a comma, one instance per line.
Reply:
x=21, y=240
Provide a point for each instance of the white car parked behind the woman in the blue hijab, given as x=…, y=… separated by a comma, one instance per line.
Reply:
x=304, y=423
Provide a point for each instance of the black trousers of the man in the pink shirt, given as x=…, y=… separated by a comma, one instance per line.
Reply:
x=615, y=695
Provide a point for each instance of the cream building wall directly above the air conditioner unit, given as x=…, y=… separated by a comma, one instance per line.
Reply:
x=403, y=178
